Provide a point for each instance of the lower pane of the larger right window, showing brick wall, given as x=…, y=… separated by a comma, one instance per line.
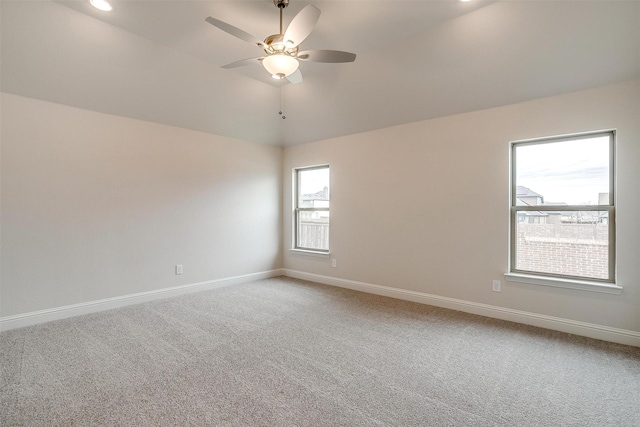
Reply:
x=565, y=243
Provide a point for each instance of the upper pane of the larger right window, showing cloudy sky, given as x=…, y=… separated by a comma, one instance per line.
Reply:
x=572, y=172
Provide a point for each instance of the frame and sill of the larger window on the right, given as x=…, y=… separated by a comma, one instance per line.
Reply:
x=557, y=280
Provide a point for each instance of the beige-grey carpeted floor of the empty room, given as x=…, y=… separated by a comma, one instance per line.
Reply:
x=284, y=352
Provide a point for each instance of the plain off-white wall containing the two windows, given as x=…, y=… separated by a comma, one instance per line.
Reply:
x=424, y=207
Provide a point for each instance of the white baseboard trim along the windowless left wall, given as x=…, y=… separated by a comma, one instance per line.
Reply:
x=42, y=316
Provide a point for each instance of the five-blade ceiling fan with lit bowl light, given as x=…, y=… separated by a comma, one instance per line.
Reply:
x=282, y=50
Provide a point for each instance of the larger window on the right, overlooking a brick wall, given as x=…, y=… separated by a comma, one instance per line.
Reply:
x=562, y=210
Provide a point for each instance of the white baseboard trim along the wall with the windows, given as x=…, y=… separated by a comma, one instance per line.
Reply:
x=605, y=333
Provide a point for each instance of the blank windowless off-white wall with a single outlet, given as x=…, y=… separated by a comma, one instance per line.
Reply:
x=96, y=206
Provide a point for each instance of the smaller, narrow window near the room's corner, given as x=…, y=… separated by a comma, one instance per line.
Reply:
x=312, y=209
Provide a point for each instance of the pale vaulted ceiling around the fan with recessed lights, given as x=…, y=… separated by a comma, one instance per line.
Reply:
x=160, y=61
